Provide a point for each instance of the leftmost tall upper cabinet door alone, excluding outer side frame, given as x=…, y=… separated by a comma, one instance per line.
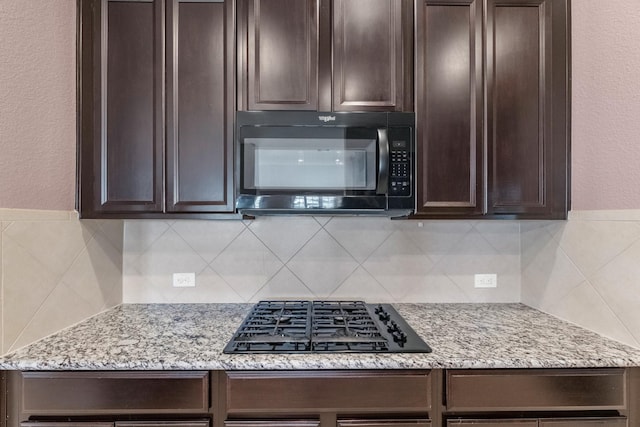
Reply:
x=129, y=109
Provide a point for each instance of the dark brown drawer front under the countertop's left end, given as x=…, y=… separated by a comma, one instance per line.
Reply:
x=58, y=393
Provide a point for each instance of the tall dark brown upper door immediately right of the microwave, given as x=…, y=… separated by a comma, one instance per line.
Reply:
x=449, y=106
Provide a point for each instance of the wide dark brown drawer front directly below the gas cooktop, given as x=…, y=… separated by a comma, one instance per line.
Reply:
x=314, y=391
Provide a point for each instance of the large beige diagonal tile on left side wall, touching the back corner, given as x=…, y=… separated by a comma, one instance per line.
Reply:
x=96, y=273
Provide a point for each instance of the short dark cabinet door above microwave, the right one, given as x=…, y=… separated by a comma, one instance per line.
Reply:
x=372, y=55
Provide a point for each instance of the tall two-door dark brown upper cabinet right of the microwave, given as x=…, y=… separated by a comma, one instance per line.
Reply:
x=492, y=108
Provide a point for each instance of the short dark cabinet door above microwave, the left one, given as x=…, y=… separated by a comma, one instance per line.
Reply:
x=278, y=54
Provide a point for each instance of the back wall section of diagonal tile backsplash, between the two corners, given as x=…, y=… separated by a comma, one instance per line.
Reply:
x=369, y=258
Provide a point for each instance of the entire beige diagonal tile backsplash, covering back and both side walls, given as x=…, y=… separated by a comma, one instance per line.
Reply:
x=56, y=270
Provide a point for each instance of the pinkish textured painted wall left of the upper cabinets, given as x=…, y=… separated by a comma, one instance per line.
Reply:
x=37, y=104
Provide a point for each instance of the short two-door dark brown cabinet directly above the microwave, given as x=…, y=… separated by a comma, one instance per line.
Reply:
x=325, y=55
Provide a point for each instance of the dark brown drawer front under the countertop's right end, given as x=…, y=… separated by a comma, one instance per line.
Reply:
x=546, y=389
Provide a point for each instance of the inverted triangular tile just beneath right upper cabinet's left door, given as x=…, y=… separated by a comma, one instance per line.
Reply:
x=436, y=239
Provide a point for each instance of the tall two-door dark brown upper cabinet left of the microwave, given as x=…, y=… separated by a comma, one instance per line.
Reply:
x=156, y=81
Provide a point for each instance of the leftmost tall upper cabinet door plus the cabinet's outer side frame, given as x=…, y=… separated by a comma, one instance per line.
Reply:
x=122, y=102
